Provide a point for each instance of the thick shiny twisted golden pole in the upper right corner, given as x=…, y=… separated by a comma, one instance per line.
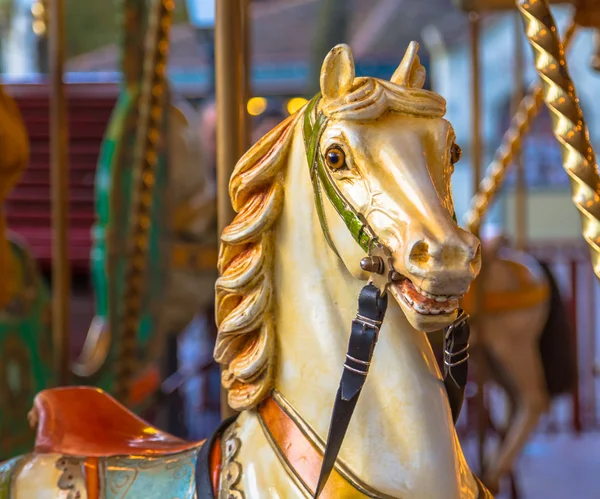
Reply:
x=568, y=126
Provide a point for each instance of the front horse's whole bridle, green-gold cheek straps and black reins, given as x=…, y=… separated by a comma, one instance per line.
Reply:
x=372, y=301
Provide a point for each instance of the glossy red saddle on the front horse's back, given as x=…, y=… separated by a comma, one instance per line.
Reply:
x=85, y=421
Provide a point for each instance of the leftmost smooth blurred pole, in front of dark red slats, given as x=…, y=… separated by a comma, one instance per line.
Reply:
x=59, y=176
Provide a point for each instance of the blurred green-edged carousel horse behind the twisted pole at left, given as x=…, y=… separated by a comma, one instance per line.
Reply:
x=177, y=289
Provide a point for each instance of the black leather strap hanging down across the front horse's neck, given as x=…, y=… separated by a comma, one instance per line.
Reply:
x=363, y=337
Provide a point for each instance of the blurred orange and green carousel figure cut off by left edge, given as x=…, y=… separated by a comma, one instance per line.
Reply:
x=25, y=337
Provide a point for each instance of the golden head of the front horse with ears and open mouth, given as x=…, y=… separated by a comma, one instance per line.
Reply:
x=391, y=154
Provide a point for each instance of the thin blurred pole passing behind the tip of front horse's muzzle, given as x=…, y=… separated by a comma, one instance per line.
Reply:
x=476, y=150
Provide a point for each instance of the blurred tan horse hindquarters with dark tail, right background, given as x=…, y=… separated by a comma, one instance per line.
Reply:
x=525, y=340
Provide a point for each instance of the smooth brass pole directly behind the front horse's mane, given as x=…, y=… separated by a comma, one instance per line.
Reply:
x=231, y=109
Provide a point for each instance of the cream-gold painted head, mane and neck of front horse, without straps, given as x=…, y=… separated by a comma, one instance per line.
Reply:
x=276, y=266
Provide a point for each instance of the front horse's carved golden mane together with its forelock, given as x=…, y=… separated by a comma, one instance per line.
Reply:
x=244, y=292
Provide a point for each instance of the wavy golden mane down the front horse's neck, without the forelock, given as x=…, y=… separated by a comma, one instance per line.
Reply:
x=244, y=292
